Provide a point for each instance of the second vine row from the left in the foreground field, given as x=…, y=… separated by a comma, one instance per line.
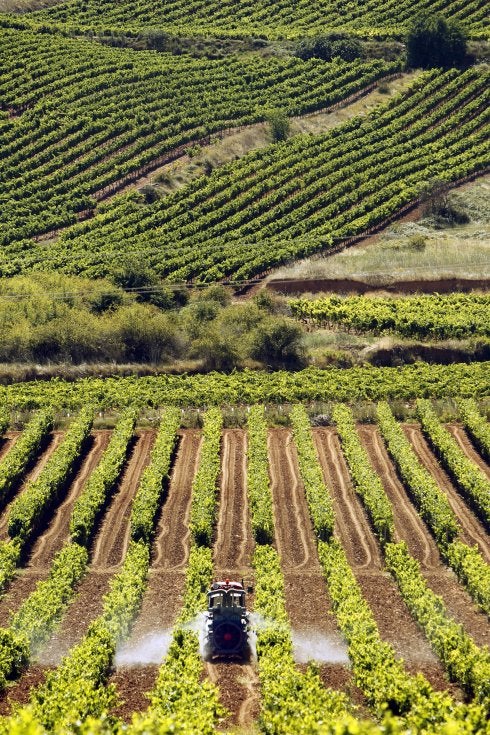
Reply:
x=30, y=508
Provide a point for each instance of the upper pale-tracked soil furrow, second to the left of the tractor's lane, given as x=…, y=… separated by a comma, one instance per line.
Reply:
x=110, y=548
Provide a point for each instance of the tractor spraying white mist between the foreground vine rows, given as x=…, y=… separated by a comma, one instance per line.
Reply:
x=227, y=623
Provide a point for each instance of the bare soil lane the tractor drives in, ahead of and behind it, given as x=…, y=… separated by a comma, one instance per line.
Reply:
x=237, y=682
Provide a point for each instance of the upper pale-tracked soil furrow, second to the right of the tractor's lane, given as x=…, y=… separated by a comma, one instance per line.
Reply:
x=351, y=522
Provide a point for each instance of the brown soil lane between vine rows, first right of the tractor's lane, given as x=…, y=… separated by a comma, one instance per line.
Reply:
x=307, y=601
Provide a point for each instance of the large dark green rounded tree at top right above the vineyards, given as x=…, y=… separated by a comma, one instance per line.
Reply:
x=434, y=41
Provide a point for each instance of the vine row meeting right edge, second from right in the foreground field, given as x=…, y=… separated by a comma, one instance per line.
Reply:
x=467, y=476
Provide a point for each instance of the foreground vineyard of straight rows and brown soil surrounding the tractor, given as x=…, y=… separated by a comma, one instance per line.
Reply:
x=360, y=547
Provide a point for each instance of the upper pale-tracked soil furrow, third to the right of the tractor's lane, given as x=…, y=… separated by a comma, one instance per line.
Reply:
x=409, y=526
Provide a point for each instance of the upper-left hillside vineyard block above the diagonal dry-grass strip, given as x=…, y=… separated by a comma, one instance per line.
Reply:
x=123, y=110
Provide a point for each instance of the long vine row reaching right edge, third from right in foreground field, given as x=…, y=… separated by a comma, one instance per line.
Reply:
x=467, y=562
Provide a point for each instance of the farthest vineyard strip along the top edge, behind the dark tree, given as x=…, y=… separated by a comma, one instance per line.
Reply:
x=259, y=17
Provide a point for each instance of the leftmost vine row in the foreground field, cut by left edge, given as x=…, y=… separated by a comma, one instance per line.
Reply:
x=15, y=463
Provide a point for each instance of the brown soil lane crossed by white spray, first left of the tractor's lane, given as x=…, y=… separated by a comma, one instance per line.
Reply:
x=163, y=596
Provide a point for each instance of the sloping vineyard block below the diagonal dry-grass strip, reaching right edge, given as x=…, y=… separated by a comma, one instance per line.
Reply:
x=291, y=199
